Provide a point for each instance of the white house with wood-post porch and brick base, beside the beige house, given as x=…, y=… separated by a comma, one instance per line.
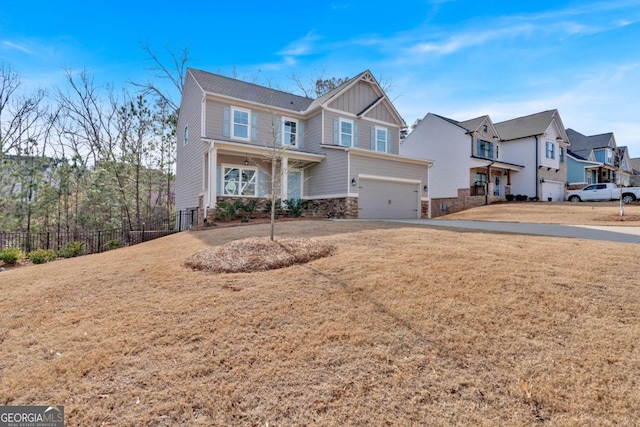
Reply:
x=469, y=164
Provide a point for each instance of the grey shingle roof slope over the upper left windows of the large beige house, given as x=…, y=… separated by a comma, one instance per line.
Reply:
x=226, y=86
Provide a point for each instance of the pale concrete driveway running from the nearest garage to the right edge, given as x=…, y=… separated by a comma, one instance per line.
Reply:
x=607, y=233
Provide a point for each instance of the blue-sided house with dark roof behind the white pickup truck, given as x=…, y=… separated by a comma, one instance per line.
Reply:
x=605, y=162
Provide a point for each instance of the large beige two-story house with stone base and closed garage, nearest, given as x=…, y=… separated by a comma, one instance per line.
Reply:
x=338, y=152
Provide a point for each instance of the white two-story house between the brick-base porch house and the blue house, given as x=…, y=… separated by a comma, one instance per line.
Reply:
x=539, y=143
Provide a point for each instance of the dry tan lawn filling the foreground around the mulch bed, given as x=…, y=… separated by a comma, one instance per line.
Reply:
x=400, y=326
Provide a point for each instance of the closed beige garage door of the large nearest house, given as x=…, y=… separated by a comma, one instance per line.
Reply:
x=387, y=199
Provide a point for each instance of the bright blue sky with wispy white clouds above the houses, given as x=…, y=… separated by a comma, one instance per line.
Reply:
x=456, y=58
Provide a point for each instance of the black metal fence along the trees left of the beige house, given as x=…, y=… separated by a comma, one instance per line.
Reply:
x=99, y=241
